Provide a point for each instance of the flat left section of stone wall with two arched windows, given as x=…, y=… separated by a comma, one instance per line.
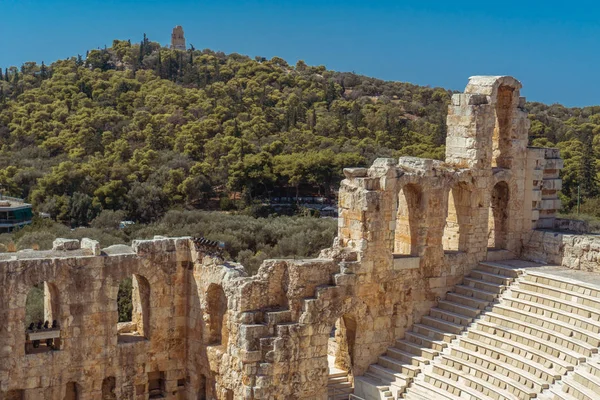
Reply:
x=85, y=288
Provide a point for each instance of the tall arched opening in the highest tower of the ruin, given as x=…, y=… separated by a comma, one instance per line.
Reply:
x=501, y=138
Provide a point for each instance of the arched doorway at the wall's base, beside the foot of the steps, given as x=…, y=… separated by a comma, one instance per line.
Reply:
x=340, y=356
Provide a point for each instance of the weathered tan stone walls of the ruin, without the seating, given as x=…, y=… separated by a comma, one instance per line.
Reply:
x=409, y=230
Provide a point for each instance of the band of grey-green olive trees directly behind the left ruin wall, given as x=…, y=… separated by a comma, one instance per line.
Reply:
x=247, y=239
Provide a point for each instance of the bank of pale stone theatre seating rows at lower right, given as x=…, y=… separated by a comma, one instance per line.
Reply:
x=542, y=330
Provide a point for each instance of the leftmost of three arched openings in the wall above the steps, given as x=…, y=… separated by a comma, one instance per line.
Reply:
x=408, y=219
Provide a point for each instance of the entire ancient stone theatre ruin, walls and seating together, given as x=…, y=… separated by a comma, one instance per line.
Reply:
x=447, y=280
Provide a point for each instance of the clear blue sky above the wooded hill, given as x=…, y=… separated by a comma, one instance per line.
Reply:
x=552, y=47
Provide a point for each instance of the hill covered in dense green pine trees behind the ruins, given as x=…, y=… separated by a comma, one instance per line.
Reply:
x=145, y=129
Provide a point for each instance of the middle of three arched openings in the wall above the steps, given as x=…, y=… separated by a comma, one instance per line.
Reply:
x=458, y=214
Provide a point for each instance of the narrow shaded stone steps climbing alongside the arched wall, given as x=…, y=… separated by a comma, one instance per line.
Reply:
x=408, y=357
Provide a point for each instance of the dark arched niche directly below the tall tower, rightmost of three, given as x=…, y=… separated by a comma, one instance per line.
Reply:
x=498, y=217
